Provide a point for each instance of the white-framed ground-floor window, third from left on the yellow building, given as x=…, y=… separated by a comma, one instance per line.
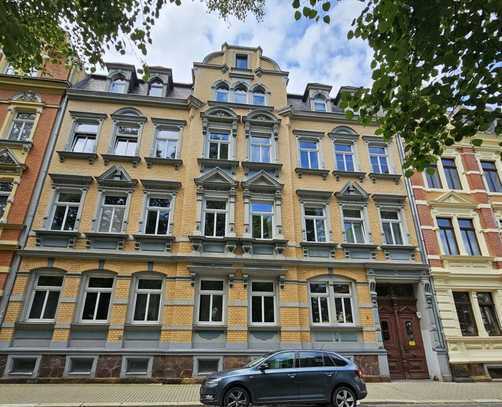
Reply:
x=147, y=299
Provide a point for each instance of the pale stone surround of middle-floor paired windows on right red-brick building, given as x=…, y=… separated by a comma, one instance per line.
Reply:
x=454, y=214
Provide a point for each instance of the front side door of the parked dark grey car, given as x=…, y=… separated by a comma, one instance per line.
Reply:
x=278, y=382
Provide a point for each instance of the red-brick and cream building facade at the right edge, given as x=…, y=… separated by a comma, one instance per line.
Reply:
x=459, y=204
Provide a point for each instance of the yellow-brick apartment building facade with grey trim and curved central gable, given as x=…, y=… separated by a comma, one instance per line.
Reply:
x=187, y=228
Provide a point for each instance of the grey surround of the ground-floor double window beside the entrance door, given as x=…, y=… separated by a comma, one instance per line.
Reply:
x=330, y=280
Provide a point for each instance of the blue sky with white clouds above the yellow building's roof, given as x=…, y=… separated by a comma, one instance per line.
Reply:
x=310, y=51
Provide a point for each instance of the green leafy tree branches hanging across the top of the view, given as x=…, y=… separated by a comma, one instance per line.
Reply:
x=436, y=64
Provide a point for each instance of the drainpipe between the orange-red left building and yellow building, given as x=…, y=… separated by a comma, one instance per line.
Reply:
x=37, y=190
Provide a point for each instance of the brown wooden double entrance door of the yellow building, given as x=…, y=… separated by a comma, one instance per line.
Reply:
x=402, y=338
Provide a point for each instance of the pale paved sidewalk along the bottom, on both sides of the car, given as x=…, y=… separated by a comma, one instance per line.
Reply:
x=186, y=395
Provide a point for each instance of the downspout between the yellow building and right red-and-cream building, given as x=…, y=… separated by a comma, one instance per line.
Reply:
x=421, y=243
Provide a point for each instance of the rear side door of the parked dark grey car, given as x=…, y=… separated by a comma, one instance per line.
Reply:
x=313, y=376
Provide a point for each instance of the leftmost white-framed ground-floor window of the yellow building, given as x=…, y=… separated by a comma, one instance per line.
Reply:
x=45, y=297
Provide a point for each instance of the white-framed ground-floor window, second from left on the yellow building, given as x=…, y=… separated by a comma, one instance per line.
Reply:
x=97, y=298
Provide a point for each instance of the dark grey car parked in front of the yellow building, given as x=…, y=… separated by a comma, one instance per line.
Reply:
x=287, y=377
